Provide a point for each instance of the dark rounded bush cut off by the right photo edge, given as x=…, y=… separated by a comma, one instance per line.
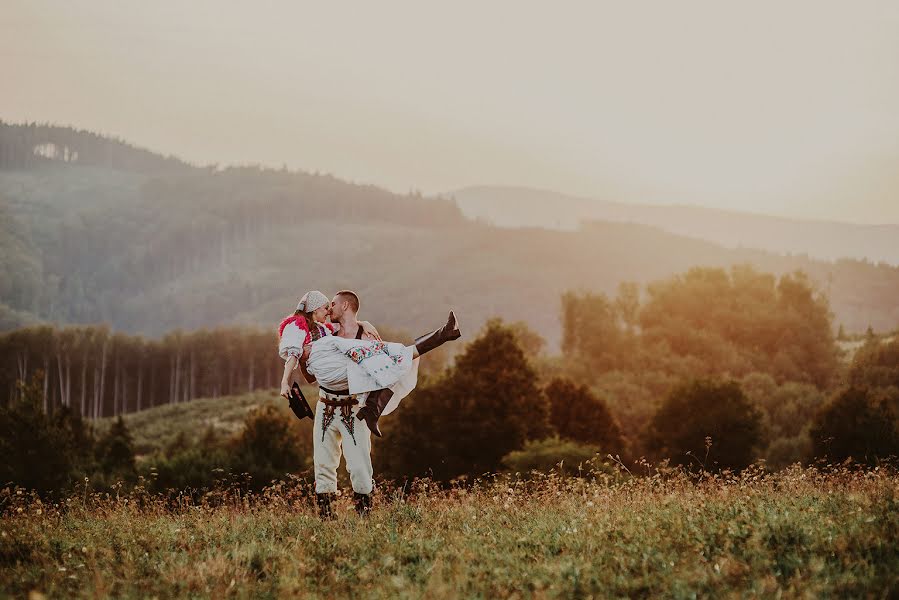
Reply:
x=860, y=423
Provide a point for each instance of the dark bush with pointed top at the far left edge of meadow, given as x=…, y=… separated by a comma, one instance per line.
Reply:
x=40, y=451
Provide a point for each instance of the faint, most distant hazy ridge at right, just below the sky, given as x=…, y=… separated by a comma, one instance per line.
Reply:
x=525, y=207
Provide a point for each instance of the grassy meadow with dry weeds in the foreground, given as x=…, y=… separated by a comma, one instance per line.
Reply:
x=799, y=533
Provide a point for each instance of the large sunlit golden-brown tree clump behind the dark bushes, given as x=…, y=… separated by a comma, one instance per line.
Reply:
x=706, y=321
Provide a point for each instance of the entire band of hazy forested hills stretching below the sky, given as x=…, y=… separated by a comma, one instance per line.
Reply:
x=161, y=245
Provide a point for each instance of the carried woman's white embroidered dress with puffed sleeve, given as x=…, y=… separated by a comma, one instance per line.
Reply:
x=356, y=365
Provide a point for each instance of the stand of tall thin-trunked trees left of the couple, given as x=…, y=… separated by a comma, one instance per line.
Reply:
x=100, y=373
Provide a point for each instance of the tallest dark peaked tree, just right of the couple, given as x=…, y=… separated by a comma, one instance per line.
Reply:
x=485, y=406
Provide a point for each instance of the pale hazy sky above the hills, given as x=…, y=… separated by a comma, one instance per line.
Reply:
x=778, y=107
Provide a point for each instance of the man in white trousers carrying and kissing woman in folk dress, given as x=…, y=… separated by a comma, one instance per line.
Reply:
x=360, y=378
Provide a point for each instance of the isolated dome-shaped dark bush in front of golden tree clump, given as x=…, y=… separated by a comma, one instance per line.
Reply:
x=706, y=423
